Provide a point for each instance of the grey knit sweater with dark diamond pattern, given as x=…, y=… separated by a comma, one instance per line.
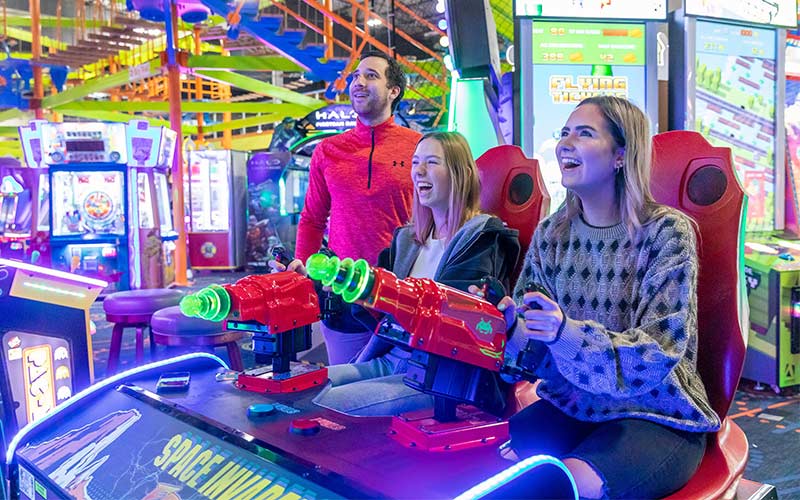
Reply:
x=628, y=344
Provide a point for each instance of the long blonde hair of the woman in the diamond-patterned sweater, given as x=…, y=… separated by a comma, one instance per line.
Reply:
x=630, y=129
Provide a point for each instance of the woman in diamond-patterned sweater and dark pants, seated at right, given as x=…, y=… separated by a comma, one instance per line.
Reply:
x=615, y=347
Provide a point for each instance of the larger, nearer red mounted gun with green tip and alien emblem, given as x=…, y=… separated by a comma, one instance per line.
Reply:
x=457, y=342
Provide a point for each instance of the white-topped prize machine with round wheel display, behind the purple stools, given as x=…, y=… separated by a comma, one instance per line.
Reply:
x=105, y=214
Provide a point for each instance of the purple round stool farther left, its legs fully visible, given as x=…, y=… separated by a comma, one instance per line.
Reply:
x=133, y=309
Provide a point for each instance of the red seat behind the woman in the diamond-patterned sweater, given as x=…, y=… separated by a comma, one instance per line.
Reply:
x=691, y=175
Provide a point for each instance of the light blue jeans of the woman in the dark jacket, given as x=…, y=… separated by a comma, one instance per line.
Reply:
x=373, y=388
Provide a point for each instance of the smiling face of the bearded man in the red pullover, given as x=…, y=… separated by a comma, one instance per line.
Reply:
x=369, y=91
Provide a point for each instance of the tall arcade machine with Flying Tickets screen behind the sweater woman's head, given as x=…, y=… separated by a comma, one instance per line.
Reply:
x=568, y=51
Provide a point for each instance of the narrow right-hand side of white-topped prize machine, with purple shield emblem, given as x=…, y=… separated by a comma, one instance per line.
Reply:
x=151, y=153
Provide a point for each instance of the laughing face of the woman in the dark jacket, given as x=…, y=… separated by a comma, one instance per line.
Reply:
x=431, y=177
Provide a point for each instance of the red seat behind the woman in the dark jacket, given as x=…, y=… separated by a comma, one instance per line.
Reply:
x=513, y=190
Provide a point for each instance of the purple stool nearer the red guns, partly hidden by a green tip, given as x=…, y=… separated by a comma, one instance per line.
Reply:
x=171, y=328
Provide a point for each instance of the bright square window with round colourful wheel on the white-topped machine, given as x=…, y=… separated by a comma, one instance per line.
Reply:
x=88, y=203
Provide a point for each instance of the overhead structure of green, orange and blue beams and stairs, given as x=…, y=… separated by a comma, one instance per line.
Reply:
x=113, y=57
